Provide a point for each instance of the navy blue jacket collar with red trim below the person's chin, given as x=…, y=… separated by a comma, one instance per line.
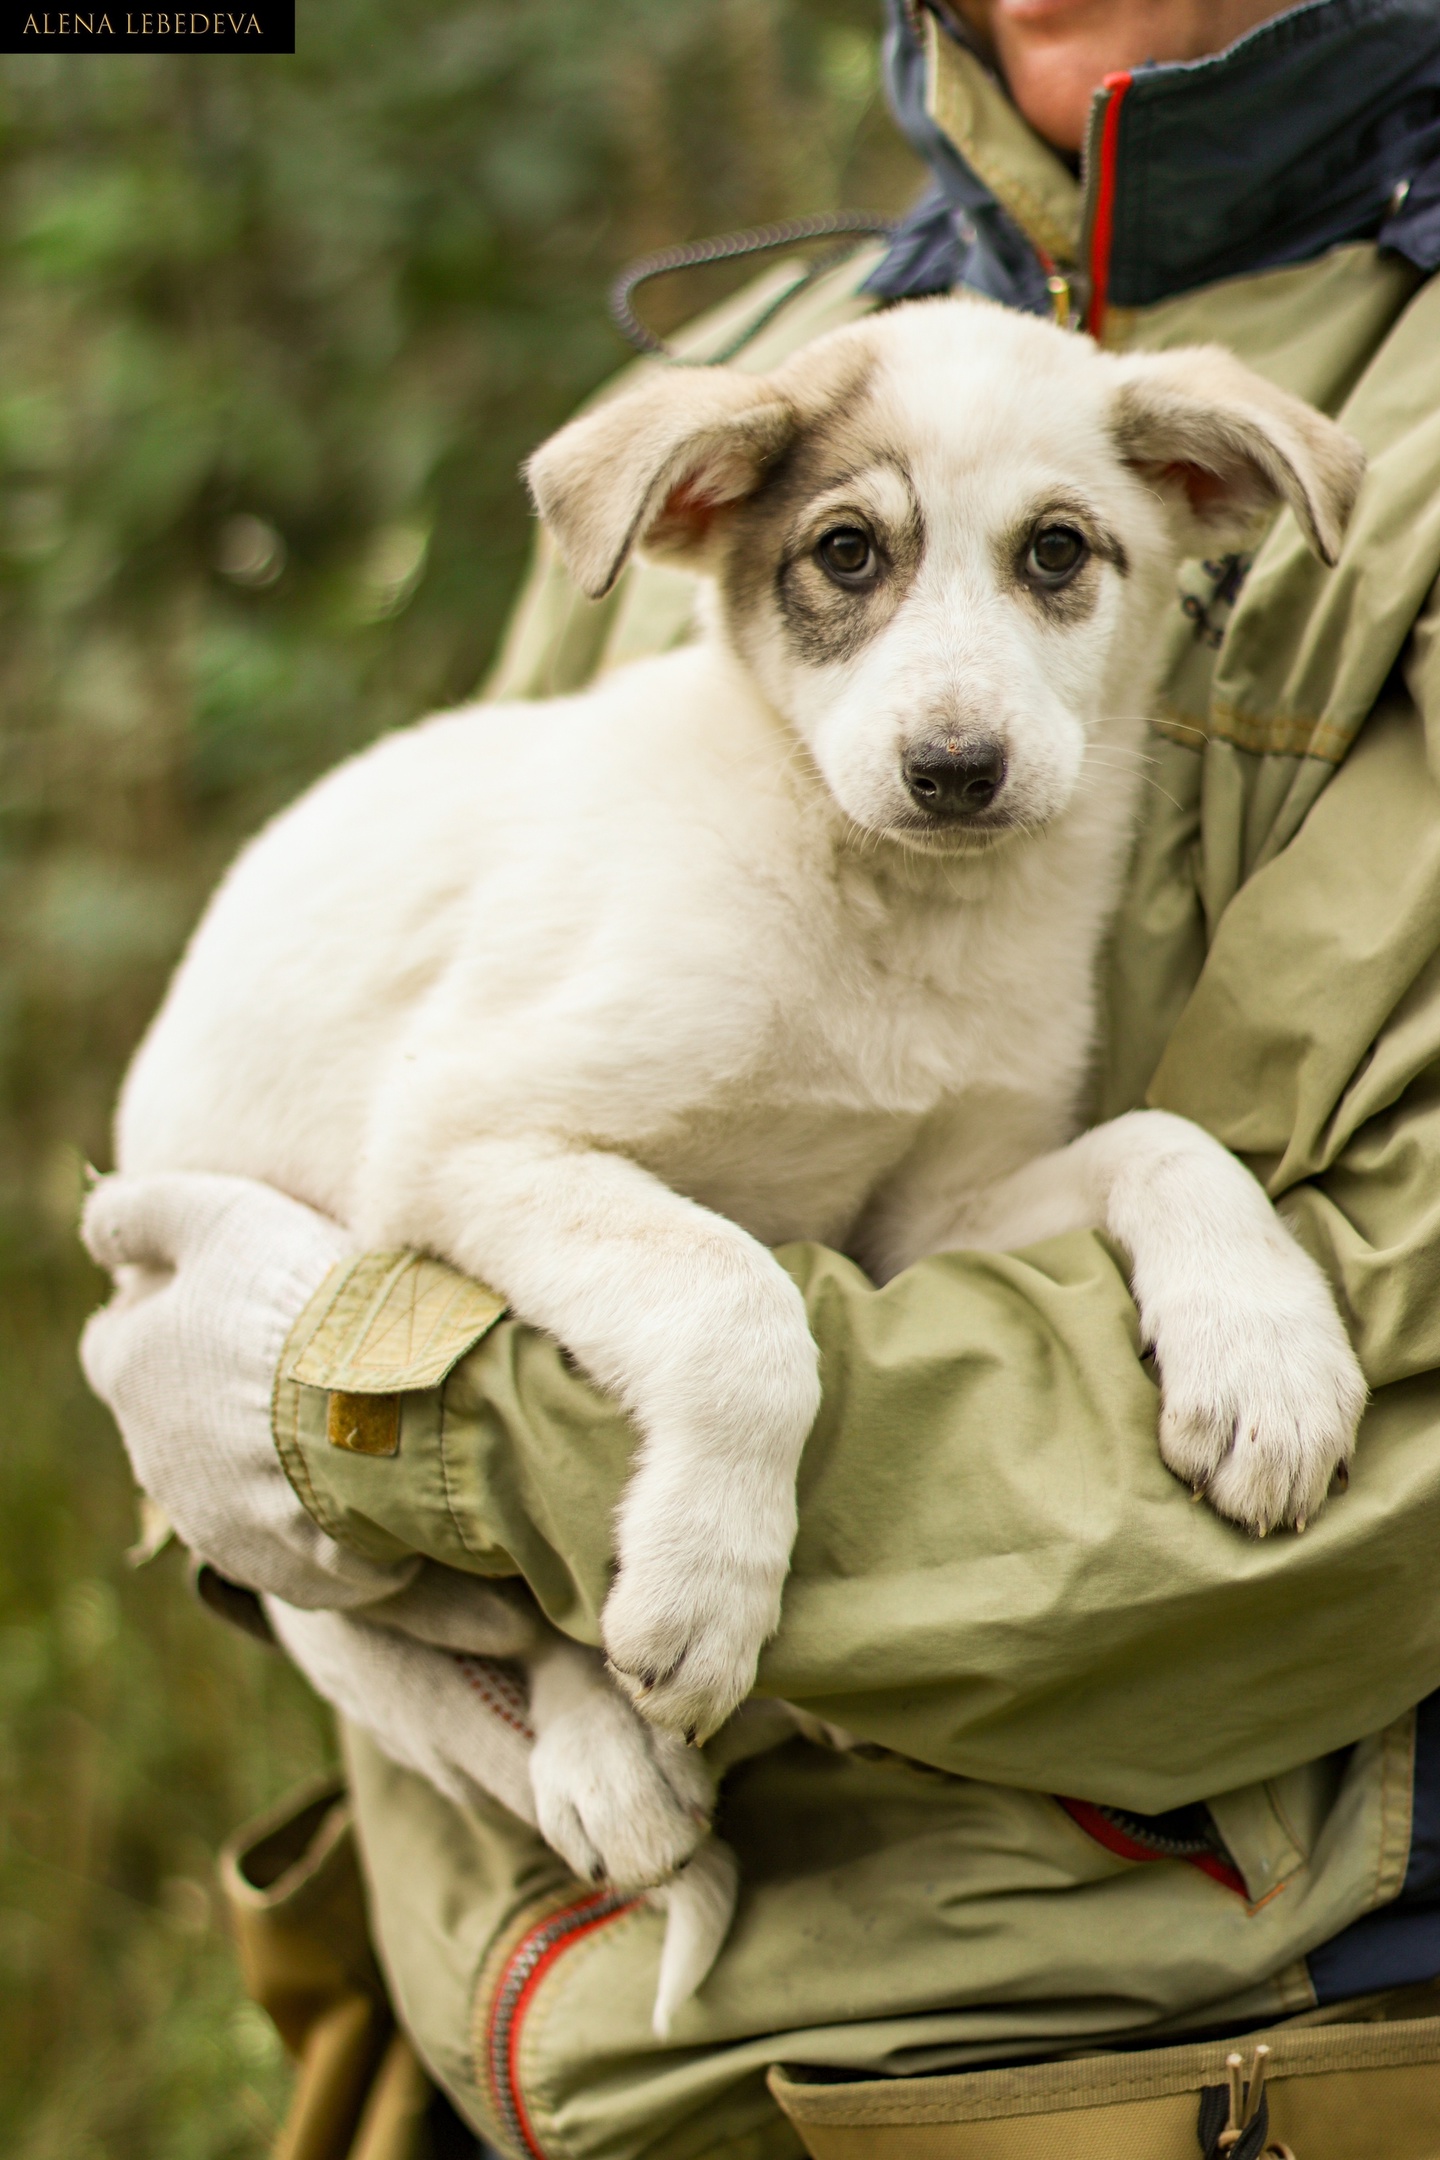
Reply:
x=1314, y=131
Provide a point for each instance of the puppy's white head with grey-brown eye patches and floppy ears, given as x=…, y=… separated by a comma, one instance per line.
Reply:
x=945, y=539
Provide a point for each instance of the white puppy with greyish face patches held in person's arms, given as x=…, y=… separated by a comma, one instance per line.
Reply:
x=789, y=934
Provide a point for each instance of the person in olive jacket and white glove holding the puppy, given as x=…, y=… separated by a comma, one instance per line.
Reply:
x=1113, y=1772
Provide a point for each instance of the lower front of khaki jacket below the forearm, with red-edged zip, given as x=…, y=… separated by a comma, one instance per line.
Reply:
x=891, y=1923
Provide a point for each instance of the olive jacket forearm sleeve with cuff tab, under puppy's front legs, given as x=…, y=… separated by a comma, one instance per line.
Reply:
x=994, y=1576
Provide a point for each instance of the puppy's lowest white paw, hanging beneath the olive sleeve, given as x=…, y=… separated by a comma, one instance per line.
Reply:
x=614, y=1798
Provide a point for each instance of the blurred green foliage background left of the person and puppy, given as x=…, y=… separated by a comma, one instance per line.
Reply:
x=273, y=342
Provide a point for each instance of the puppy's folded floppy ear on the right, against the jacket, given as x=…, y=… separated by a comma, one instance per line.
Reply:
x=1225, y=446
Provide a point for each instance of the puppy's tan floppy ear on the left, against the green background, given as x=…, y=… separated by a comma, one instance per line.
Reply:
x=655, y=468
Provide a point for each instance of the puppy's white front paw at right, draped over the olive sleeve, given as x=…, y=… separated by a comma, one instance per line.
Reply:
x=1260, y=1388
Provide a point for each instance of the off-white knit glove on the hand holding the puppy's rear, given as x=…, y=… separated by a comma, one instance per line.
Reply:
x=210, y=1278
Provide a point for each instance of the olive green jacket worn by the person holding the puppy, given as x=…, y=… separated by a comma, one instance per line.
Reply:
x=996, y=1578
